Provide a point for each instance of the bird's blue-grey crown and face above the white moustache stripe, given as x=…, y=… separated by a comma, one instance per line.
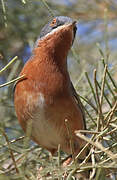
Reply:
x=56, y=22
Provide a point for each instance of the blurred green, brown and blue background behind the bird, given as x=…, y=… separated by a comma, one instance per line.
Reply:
x=20, y=25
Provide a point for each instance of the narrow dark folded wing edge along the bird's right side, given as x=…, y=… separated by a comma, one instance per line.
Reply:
x=79, y=103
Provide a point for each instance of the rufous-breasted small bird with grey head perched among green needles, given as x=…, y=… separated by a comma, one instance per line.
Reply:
x=46, y=96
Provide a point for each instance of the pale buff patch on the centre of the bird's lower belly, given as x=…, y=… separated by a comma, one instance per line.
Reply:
x=46, y=132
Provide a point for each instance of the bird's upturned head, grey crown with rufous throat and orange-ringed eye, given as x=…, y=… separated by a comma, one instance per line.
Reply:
x=58, y=34
